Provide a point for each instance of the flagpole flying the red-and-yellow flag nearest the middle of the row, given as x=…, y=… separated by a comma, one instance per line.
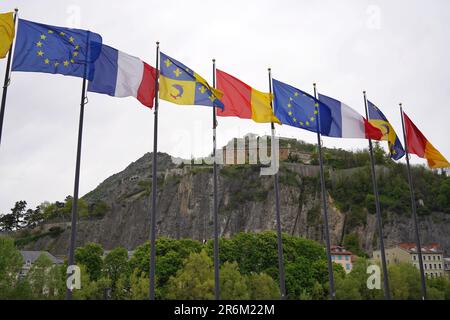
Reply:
x=216, y=219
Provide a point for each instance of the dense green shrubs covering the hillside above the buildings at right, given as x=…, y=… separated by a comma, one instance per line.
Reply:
x=353, y=193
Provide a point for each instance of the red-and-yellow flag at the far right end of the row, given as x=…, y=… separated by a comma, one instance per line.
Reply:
x=419, y=145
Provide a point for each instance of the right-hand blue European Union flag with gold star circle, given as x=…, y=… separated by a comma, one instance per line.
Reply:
x=299, y=109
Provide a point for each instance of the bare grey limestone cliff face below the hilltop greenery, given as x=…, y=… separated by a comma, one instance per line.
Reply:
x=246, y=203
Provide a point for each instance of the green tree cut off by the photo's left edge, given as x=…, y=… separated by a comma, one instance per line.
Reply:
x=11, y=262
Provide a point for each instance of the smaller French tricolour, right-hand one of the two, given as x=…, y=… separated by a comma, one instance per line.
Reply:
x=347, y=123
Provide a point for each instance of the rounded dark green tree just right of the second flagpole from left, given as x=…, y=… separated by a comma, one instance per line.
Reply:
x=91, y=257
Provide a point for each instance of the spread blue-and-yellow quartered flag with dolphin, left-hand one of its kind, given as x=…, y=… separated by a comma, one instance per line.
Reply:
x=181, y=85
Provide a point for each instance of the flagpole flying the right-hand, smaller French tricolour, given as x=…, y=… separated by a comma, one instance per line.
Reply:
x=324, y=205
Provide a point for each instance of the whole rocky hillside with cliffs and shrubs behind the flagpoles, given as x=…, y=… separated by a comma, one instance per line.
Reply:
x=117, y=211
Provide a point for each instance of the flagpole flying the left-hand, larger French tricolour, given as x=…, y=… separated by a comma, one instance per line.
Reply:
x=73, y=229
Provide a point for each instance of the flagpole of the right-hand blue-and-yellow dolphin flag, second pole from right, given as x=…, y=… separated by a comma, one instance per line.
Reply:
x=387, y=291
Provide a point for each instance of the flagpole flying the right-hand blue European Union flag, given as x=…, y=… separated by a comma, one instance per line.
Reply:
x=277, y=206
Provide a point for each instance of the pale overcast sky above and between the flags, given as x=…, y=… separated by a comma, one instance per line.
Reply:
x=396, y=50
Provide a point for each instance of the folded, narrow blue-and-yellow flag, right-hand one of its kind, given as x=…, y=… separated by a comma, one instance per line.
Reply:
x=378, y=120
